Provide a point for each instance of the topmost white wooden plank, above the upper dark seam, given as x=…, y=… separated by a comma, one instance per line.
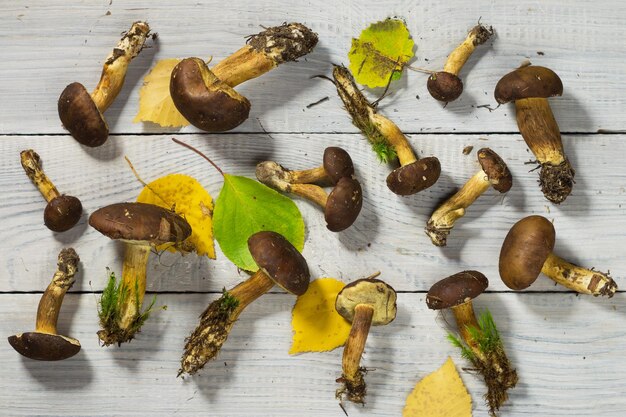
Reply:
x=46, y=45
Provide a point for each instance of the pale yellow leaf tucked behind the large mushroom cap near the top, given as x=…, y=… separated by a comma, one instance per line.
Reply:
x=155, y=102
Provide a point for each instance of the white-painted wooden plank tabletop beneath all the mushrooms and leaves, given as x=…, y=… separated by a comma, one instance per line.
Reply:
x=568, y=349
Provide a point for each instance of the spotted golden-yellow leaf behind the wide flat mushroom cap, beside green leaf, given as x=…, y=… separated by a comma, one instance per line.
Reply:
x=191, y=201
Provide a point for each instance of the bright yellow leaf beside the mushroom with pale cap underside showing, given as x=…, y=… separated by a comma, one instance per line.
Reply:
x=317, y=327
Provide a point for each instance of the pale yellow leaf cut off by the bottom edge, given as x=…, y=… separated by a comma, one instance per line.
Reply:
x=440, y=394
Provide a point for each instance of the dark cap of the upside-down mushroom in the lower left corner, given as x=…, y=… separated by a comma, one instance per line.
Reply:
x=44, y=346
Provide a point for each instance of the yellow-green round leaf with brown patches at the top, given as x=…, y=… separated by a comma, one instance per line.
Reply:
x=380, y=53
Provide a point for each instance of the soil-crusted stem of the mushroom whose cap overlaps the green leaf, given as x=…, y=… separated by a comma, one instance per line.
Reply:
x=217, y=320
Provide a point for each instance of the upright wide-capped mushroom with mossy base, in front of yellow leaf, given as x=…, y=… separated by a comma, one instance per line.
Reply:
x=141, y=227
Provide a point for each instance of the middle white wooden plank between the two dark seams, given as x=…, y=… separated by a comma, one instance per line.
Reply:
x=388, y=236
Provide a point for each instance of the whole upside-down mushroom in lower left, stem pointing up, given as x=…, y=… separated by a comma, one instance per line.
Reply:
x=45, y=344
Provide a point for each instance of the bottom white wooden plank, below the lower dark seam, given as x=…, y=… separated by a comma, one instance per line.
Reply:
x=567, y=351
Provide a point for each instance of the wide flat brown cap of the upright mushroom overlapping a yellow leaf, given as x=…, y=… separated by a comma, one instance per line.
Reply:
x=140, y=222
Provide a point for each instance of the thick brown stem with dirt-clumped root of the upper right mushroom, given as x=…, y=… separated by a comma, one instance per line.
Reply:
x=541, y=133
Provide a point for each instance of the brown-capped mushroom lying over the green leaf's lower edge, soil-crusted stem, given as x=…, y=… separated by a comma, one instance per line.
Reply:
x=279, y=263
